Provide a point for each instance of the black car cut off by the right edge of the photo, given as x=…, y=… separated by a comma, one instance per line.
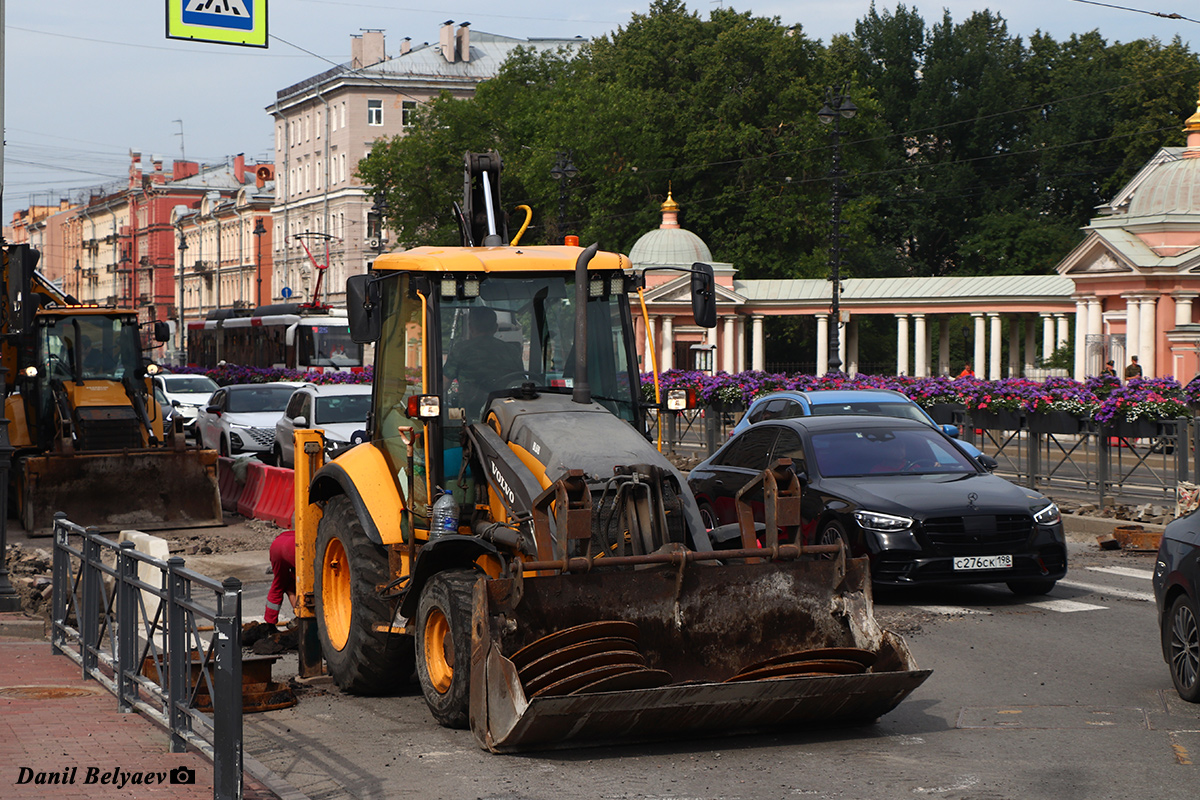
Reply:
x=1177, y=575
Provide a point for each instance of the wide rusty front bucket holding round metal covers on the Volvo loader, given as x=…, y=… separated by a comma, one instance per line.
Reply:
x=799, y=639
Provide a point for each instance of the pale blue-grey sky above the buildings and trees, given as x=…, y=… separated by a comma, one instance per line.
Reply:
x=88, y=82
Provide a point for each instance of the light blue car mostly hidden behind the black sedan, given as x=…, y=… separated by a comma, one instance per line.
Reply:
x=872, y=402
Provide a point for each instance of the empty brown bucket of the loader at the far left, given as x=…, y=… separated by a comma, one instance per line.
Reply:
x=143, y=490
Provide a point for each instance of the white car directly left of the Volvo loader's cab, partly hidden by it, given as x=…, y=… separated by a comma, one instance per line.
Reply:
x=339, y=410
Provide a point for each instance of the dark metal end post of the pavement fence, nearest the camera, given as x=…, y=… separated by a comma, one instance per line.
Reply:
x=227, y=754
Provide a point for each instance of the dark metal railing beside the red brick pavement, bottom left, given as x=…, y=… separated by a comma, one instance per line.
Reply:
x=165, y=640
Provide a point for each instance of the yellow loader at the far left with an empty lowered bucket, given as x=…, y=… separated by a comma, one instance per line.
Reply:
x=87, y=434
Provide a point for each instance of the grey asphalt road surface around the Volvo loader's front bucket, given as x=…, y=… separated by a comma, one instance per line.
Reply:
x=1058, y=697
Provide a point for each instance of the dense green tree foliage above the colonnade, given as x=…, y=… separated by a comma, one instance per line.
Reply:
x=974, y=152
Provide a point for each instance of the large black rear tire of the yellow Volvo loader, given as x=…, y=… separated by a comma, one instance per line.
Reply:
x=370, y=661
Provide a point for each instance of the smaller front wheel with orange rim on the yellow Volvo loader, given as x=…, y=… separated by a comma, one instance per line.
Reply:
x=446, y=600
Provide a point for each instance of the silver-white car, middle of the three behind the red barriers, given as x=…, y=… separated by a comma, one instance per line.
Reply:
x=241, y=419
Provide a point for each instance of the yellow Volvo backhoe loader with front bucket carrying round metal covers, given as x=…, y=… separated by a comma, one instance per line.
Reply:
x=507, y=527
